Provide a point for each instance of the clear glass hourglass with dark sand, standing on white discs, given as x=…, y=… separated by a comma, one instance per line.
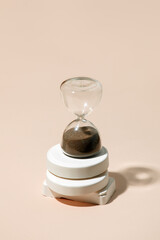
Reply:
x=81, y=138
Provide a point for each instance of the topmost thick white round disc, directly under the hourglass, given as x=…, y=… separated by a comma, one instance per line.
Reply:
x=76, y=168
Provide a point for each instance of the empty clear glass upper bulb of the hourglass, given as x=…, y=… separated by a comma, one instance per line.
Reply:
x=81, y=94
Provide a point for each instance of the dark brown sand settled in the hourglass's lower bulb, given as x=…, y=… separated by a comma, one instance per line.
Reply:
x=81, y=142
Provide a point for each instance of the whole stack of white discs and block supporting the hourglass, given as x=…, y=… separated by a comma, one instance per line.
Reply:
x=80, y=179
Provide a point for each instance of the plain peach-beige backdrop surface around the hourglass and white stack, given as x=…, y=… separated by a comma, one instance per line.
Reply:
x=43, y=43
